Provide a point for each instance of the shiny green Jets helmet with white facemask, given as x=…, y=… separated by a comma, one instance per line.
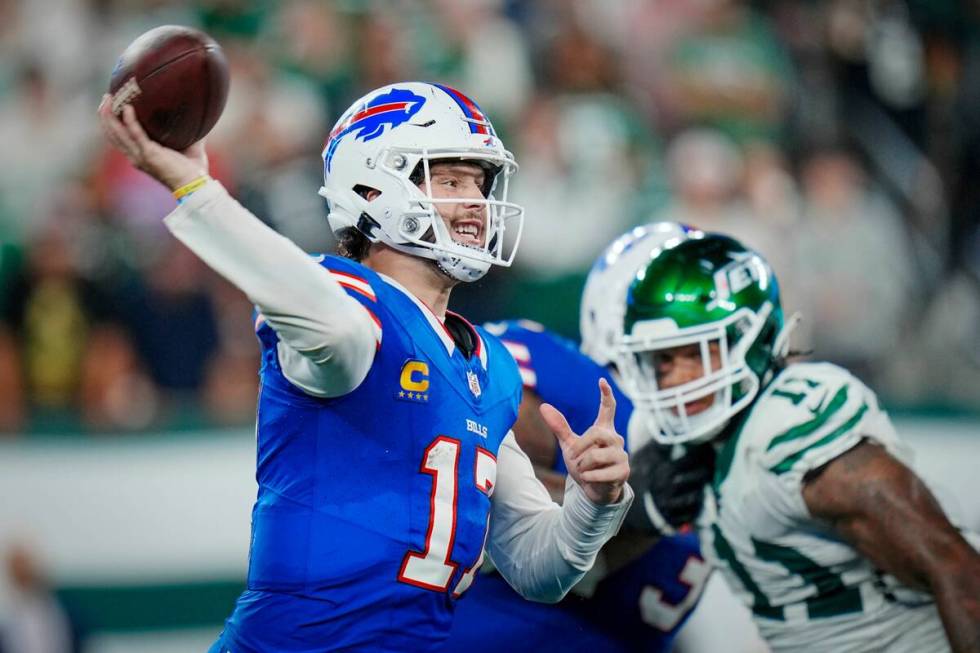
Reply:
x=717, y=299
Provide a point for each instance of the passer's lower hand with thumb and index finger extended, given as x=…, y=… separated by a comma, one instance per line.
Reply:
x=596, y=459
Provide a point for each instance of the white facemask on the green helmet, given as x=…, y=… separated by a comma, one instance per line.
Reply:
x=732, y=383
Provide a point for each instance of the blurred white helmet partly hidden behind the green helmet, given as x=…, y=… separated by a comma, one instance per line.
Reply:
x=604, y=297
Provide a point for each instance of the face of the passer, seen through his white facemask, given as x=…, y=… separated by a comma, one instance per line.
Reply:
x=466, y=221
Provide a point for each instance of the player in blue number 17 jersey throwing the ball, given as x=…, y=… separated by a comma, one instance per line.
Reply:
x=386, y=463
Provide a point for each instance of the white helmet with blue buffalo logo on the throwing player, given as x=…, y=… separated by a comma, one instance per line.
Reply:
x=386, y=142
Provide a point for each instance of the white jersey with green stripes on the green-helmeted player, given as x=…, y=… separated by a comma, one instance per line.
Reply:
x=807, y=588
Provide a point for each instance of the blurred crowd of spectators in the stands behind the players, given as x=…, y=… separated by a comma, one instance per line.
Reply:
x=841, y=138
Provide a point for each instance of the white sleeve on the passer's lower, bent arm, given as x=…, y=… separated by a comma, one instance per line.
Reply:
x=543, y=549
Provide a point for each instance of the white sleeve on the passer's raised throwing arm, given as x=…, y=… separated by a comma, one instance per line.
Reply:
x=327, y=339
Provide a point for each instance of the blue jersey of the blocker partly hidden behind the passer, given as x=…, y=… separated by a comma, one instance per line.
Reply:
x=639, y=607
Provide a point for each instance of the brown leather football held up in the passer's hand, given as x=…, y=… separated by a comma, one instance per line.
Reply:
x=176, y=78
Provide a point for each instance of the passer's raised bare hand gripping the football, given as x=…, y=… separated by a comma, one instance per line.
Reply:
x=171, y=168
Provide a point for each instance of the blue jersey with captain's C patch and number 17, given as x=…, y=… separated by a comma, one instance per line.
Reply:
x=373, y=507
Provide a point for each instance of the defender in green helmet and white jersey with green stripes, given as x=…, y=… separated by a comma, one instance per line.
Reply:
x=813, y=513
